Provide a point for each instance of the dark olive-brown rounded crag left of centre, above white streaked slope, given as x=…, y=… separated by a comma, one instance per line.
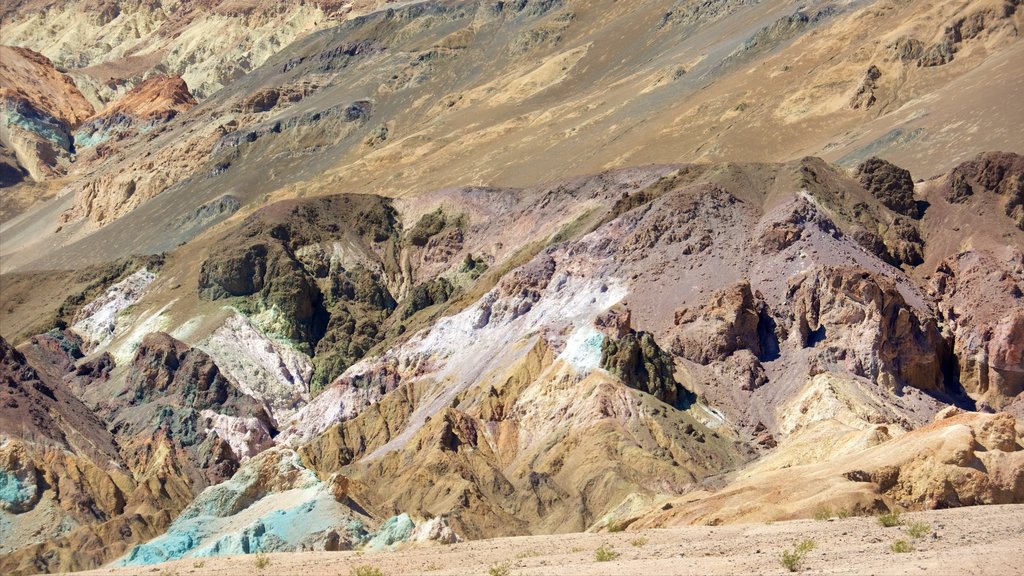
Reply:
x=314, y=273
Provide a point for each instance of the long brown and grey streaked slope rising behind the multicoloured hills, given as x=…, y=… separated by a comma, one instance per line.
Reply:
x=566, y=89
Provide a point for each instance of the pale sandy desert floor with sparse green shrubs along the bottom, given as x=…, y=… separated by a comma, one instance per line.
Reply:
x=971, y=541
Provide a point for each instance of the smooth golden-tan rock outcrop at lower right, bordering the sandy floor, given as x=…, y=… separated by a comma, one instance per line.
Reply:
x=966, y=460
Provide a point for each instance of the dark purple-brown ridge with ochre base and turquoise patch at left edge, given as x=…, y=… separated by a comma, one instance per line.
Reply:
x=66, y=486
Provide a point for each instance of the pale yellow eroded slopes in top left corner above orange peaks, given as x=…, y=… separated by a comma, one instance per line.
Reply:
x=118, y=44
